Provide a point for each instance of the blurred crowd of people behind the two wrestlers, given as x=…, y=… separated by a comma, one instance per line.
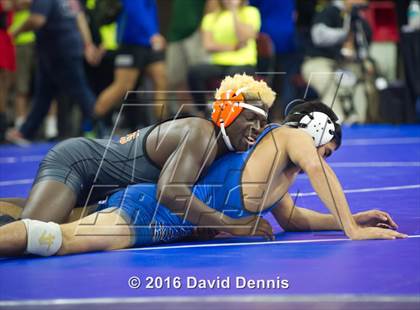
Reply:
x=67, y=66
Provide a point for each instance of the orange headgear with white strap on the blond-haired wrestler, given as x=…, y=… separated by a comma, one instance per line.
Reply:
x=229, y=105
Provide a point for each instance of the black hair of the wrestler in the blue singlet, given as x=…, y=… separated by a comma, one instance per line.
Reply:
x=304, y=108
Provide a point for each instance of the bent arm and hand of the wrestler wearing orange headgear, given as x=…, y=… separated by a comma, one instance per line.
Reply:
x=182, y=169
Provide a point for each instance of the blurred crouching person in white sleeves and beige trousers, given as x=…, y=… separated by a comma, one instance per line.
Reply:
x=340, y=37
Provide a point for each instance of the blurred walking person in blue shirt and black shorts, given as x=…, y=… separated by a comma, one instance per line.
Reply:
x=141, y=48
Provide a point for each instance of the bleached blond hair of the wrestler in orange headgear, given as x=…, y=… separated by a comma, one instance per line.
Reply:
x=254, y=90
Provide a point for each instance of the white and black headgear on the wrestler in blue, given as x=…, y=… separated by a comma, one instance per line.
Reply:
x=321, y=127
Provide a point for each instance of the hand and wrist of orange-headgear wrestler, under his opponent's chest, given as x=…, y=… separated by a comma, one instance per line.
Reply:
x=246, y=227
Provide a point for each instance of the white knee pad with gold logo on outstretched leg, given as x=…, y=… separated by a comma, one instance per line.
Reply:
x=44, y=239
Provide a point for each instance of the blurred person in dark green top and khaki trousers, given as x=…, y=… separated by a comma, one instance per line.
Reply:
x=185, y=47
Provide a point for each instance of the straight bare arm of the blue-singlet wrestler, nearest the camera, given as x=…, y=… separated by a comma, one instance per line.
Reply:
x=302, y=152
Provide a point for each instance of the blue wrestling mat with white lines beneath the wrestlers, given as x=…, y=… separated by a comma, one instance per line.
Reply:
x=378, y=166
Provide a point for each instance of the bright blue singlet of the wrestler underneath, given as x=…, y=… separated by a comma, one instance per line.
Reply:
x=220, y=189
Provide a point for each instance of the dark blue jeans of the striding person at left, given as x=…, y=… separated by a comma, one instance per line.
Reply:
x=58, y=76
